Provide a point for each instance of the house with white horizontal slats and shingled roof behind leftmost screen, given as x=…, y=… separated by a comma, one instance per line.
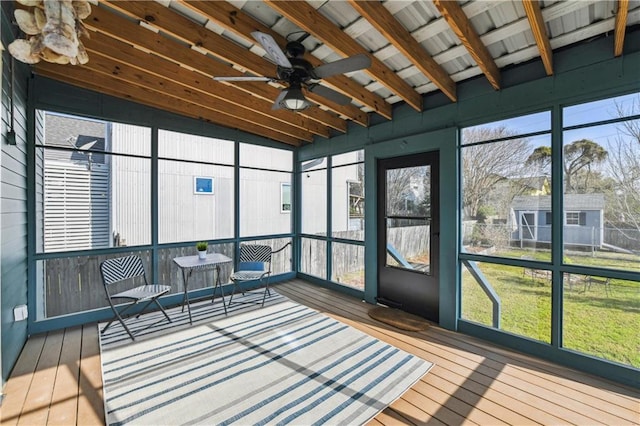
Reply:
x=74, y=185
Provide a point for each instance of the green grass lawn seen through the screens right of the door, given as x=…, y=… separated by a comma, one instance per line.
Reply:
x=606, y=326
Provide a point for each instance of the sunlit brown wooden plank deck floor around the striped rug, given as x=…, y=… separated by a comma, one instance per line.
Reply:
x=57, y=380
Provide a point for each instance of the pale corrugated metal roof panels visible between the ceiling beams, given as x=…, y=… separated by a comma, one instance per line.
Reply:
x=502, y=25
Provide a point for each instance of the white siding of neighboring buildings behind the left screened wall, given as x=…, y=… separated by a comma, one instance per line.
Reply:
x=108, y=202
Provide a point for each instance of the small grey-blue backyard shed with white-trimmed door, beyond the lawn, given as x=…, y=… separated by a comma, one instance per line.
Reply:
x=583, y=219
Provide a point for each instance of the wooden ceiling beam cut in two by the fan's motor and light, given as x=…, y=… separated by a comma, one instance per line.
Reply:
x=168, y=21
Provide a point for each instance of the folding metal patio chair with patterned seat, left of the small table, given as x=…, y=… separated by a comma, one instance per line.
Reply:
x=123, y=269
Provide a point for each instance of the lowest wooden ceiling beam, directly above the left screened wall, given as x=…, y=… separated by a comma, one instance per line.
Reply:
x=92, y=80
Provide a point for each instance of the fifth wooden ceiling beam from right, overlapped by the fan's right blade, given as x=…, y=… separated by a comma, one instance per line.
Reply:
x=306, y=17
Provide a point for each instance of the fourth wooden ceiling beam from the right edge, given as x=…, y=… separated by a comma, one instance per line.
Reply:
x=383, y=21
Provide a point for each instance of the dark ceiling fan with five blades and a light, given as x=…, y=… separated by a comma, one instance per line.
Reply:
x=297, y=73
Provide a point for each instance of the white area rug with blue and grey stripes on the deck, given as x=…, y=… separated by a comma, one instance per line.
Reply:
x=281, y=364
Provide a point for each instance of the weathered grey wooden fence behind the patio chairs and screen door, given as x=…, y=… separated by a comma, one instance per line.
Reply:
x=74, y=284
